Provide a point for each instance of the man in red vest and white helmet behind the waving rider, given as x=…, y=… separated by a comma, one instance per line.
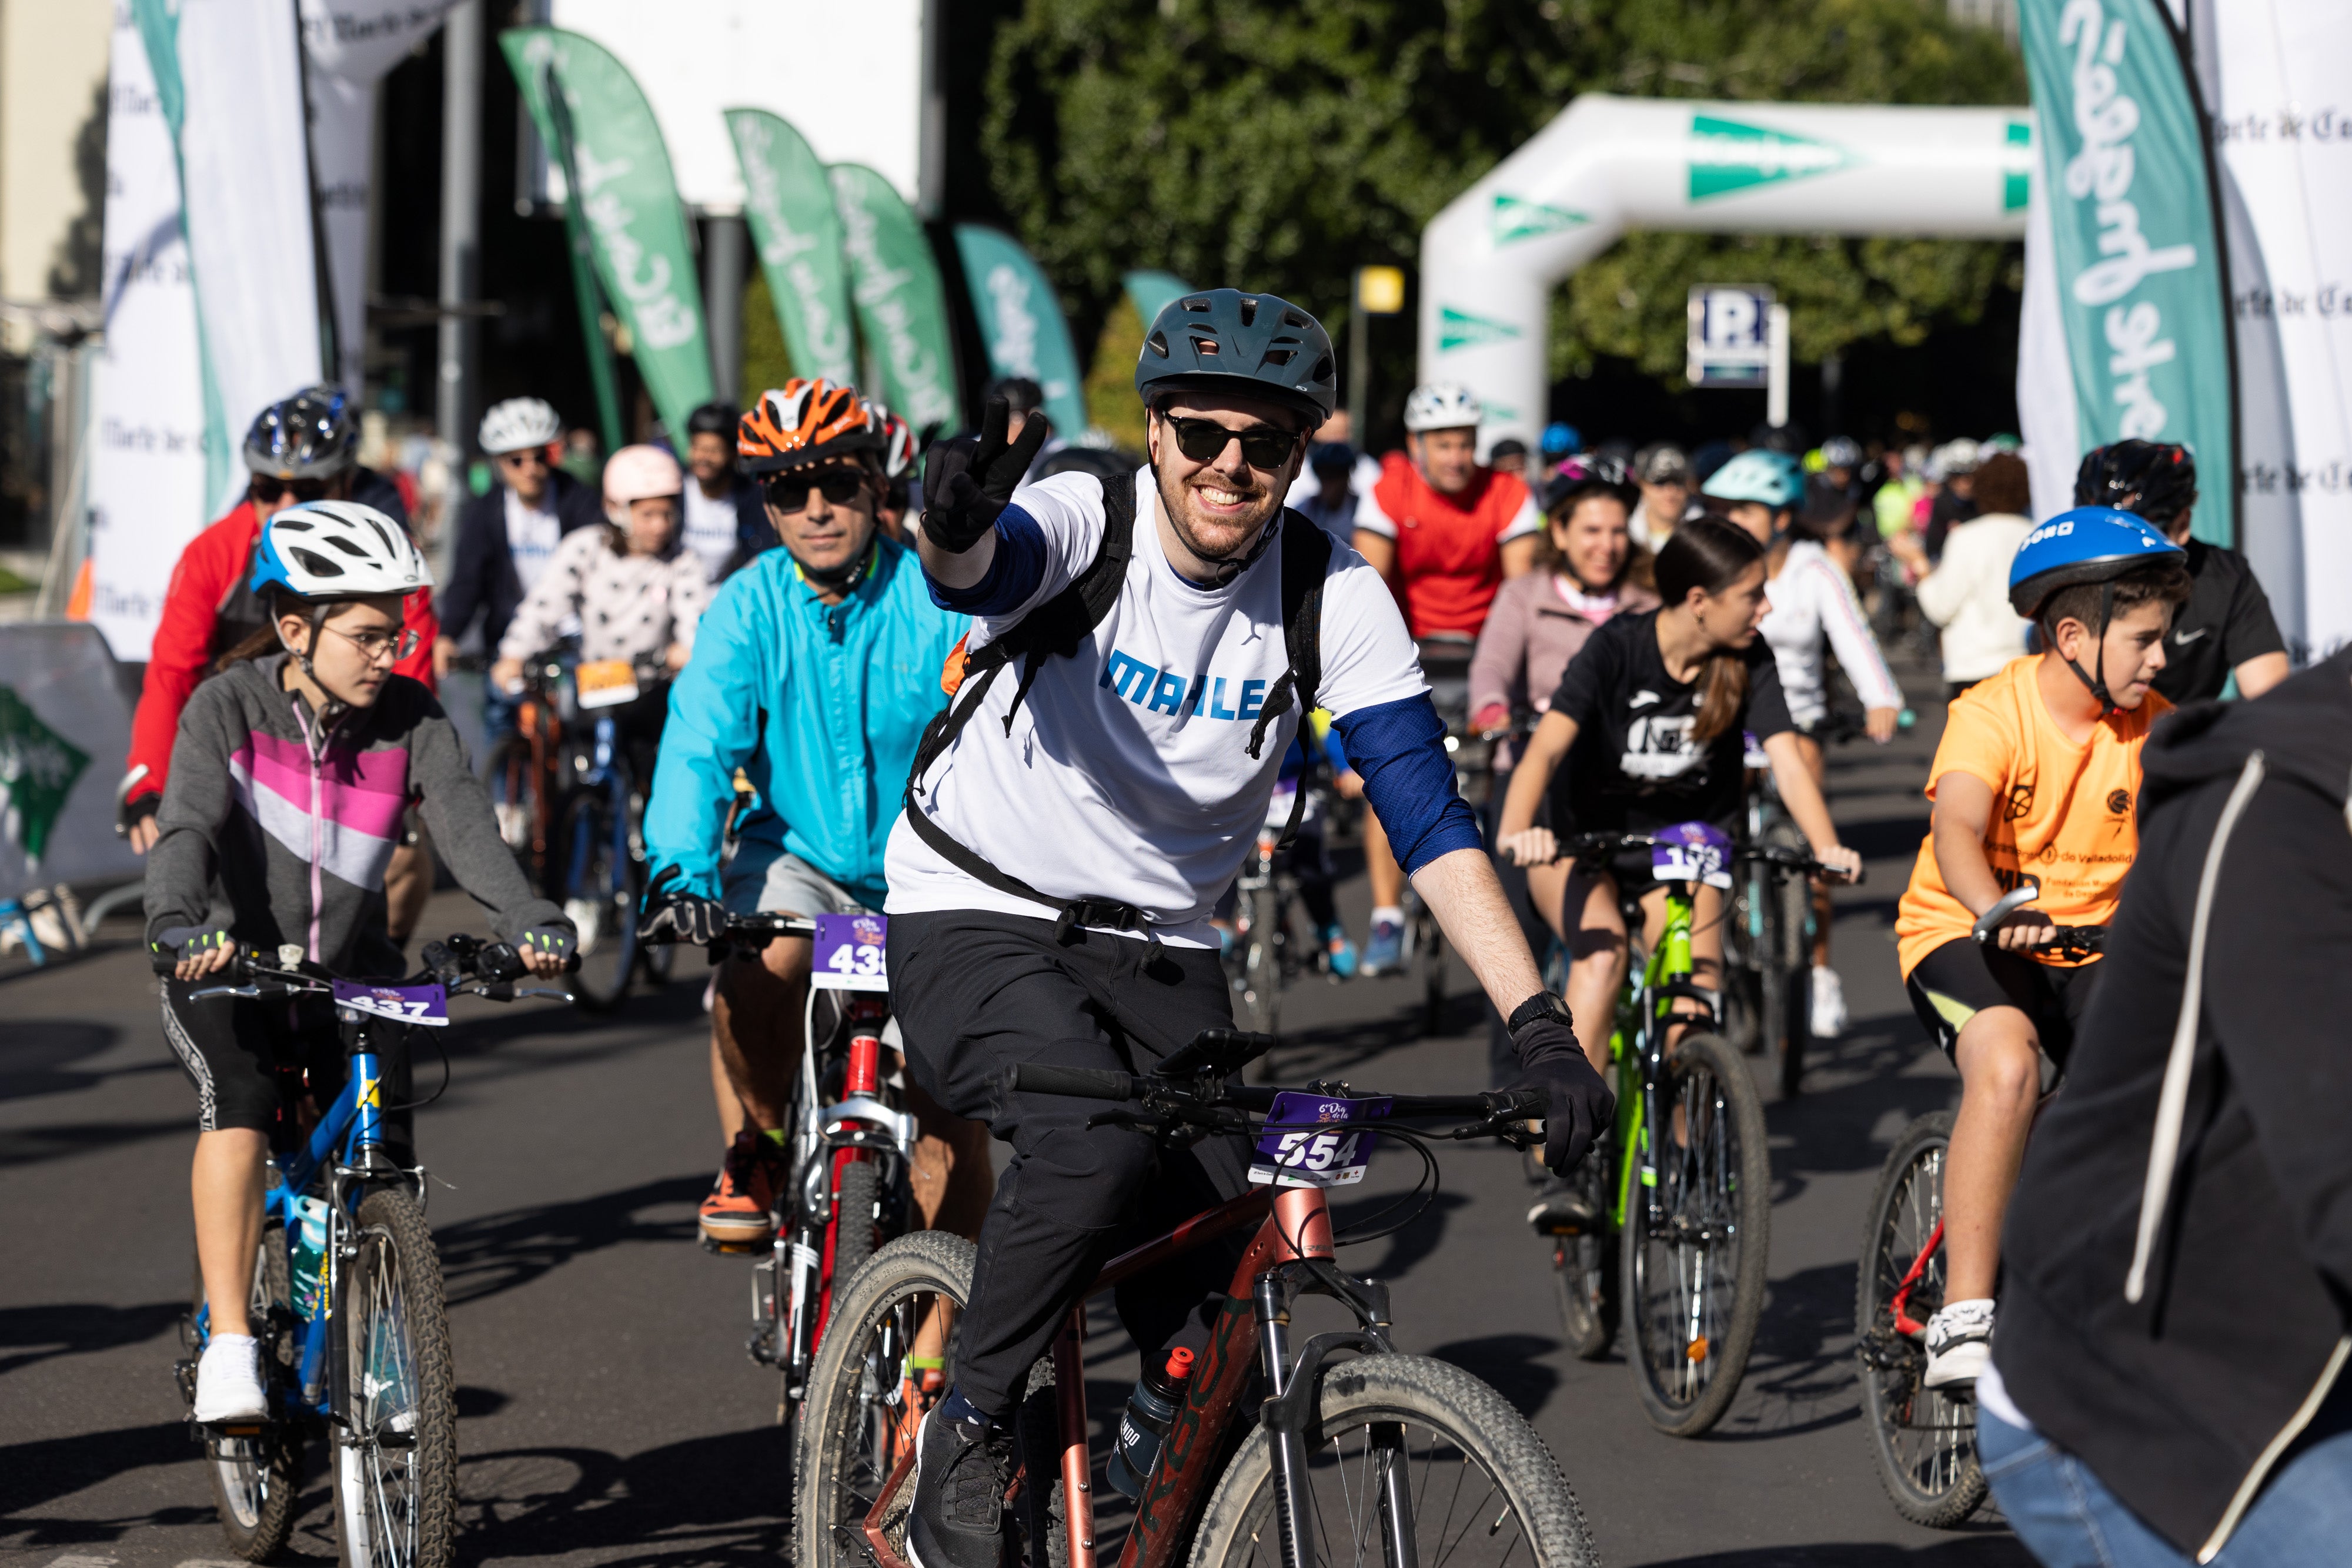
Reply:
x=1445, y=532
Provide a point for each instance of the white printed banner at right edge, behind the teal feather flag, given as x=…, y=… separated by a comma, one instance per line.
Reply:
x=2285, y=145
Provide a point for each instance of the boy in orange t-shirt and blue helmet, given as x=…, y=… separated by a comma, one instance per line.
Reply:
x=2038, y=779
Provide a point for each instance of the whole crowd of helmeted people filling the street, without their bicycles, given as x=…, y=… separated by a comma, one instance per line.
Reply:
x=1036, y=706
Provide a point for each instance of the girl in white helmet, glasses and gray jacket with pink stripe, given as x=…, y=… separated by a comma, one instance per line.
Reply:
x=276, y=829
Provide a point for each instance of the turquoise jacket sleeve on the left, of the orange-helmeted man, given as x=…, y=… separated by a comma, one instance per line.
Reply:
x=714, y=728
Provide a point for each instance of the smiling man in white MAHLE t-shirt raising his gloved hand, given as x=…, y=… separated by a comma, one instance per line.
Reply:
x=1083, y=805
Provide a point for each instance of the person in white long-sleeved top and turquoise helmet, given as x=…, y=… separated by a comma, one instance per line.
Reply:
x=1812, y=612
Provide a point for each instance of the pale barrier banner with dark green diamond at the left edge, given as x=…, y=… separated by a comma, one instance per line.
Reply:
x=62, y=735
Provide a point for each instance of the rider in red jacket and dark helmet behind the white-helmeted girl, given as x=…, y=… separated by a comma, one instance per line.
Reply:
x=302, y=448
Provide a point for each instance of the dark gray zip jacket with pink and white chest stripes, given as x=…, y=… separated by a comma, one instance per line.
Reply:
x=279, y=826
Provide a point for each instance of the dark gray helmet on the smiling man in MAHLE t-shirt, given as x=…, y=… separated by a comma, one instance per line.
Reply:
x=1238, y=342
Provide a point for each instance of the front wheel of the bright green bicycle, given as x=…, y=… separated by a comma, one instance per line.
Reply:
x=1688, y=1372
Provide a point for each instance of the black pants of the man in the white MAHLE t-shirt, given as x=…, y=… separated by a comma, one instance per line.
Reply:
x=977, y=993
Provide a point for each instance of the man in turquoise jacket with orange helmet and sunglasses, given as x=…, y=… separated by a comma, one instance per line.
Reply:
x=815, y=671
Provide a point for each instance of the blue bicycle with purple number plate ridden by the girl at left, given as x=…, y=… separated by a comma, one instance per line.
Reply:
x=347, y=1287
